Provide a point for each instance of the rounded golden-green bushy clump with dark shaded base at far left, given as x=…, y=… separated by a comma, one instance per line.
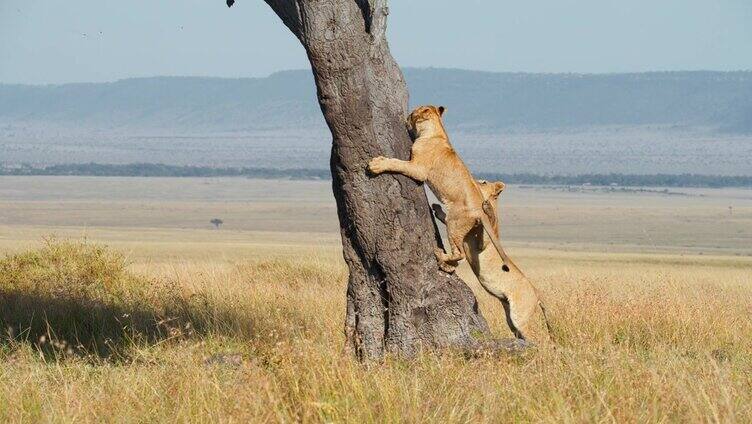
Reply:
x=80, y=297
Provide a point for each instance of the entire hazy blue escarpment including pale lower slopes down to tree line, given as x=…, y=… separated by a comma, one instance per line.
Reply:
x=501, y=123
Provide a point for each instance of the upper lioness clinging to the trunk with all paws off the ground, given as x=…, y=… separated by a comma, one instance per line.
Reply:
x=433, y=160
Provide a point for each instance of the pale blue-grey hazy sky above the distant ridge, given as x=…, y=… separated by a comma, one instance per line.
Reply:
x=54, y=41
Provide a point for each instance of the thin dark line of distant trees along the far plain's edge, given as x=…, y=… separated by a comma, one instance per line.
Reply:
x=162, y=170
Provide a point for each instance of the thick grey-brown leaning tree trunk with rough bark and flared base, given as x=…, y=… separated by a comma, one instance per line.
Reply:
x=398, y=301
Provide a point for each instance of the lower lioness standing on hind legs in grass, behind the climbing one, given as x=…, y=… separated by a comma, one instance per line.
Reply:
x=517, y=294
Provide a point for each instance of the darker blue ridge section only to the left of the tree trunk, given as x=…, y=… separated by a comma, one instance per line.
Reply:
x=212, y=104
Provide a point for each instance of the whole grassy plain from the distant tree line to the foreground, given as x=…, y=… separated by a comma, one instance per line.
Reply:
x=120, y=302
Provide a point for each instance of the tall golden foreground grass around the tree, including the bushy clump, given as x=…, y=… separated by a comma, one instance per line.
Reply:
x=639, y=338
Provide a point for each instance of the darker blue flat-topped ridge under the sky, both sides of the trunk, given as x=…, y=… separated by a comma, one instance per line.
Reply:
x=476, y=101
